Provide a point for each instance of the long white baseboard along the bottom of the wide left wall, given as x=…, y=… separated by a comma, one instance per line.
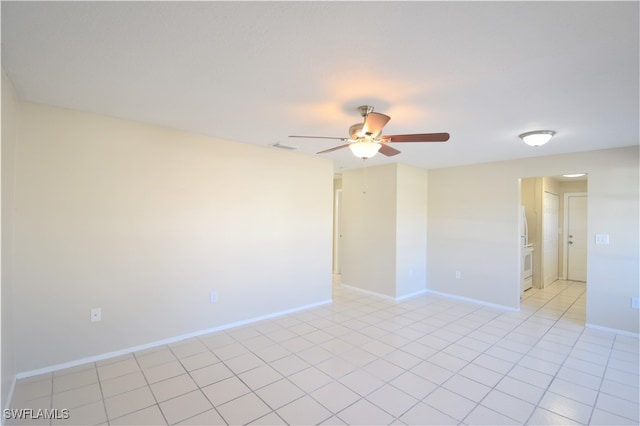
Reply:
x=125, y=351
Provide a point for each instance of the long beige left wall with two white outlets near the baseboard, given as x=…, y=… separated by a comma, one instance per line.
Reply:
x=144, y=222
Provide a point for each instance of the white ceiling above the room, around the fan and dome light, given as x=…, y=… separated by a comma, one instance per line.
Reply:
x=256, y=72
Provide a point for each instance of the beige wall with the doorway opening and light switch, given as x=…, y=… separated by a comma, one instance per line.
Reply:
x=473, y=227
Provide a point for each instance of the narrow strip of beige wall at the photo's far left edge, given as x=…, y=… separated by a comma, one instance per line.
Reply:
x=9, y=137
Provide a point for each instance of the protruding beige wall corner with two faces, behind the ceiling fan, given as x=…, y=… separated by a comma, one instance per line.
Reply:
x=384, y=229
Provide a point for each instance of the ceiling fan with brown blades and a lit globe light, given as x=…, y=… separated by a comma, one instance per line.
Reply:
x=365, y=138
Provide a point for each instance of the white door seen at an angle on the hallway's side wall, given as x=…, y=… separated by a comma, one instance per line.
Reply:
x=550, y=239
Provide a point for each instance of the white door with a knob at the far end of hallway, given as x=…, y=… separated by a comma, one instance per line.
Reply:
x=577, y=238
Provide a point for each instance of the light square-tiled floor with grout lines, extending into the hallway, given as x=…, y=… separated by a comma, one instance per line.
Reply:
x=367, y=360
